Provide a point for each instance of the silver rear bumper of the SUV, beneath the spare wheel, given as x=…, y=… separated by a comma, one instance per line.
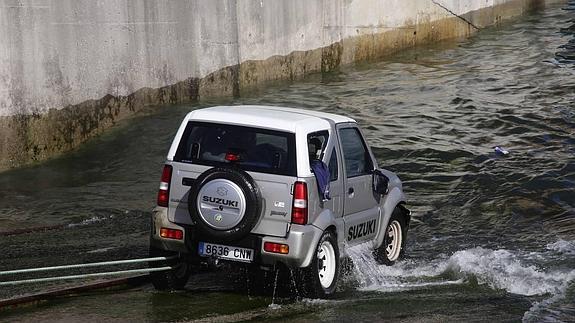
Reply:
x=301, y=239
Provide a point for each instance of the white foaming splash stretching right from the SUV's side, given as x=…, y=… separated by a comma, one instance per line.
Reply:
x=498, y=269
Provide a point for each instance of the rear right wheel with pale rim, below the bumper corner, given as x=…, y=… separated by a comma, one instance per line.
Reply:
x=321, y=276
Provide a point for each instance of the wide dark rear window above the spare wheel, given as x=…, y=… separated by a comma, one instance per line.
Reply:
x=251, y=149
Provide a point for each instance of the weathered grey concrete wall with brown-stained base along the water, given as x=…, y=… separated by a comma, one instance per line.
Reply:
x=69, y=69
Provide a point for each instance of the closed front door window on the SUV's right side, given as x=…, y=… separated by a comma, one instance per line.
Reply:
x=355, y=153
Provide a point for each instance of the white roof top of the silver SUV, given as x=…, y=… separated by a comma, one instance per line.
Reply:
x=271, y=117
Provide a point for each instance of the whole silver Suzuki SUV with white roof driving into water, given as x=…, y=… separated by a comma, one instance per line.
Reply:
x=269, y=186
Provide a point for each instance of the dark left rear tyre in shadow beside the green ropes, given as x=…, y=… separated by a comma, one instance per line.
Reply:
x=174, y=279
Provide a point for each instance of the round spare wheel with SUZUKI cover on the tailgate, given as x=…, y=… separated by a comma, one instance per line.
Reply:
x=224, y=203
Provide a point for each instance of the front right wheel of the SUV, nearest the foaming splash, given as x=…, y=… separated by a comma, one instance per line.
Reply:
x=393, y=246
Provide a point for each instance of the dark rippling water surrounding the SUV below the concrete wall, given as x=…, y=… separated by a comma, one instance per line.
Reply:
x=493, y=235
